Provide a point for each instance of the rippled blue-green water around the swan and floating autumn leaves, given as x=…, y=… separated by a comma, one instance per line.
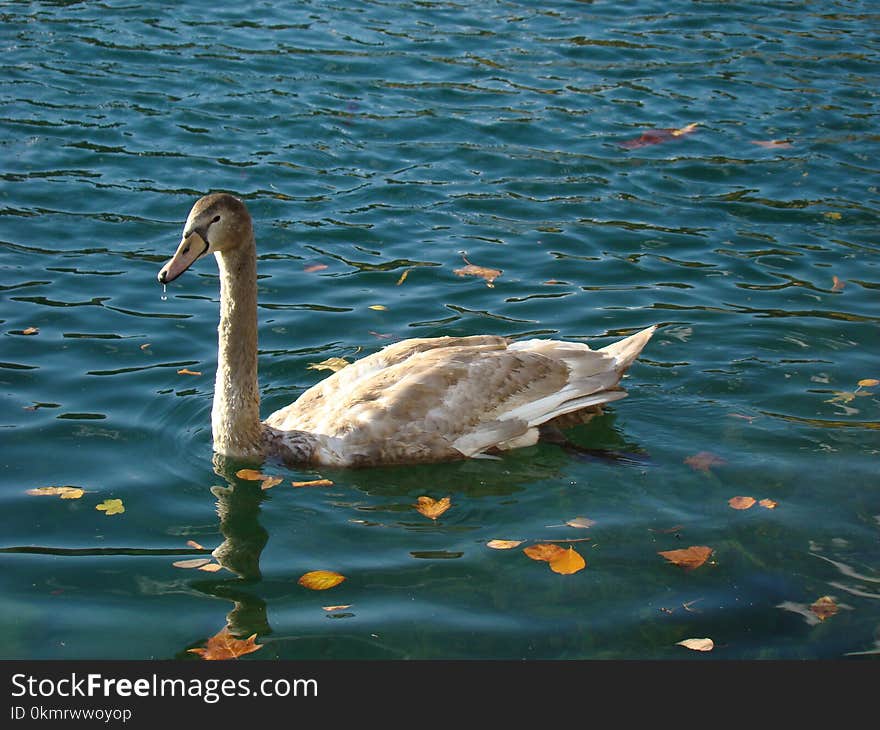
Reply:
x=373, y=139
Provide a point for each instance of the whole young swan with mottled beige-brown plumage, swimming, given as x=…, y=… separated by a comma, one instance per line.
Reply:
x=418, y=400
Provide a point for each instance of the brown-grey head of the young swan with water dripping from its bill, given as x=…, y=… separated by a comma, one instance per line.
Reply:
x=217, y=222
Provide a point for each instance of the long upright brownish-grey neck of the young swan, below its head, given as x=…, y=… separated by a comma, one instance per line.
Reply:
x=235, y=418
